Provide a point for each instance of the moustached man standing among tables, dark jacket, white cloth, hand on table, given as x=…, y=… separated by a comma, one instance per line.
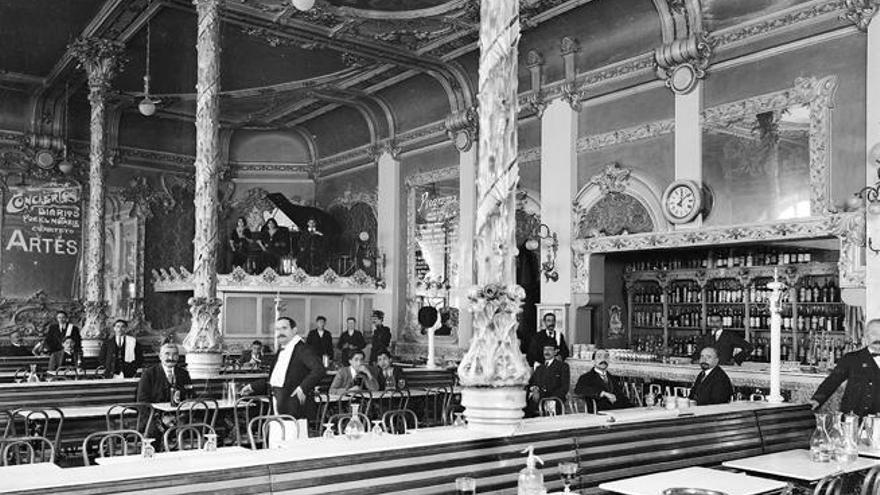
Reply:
x=297, y=371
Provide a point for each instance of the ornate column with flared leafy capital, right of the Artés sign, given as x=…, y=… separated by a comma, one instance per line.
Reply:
x=101, y=60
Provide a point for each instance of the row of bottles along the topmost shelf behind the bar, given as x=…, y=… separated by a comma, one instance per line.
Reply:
x=724, y=259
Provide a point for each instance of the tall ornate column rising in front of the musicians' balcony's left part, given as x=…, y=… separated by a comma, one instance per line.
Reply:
x=204, y=342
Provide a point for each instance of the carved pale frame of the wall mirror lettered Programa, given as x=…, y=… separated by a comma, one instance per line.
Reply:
x=413, y=182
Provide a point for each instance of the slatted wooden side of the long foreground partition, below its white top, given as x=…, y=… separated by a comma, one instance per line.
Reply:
x=607, y=452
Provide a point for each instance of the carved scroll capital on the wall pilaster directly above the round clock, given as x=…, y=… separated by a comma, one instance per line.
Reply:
x=683, y=62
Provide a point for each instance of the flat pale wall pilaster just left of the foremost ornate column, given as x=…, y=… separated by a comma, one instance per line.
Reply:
x=461, y=127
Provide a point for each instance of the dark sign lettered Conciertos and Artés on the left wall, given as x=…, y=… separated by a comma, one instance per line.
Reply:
x=42, y=240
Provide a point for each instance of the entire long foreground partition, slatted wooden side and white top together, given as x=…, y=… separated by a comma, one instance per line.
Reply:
x=427, y=461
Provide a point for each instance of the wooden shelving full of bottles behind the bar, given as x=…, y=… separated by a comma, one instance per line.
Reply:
x=670, y=298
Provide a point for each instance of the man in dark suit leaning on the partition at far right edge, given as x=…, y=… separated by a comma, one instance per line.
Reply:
x=861, y=371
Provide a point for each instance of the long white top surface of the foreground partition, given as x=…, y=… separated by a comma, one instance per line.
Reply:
x=319, y=448
